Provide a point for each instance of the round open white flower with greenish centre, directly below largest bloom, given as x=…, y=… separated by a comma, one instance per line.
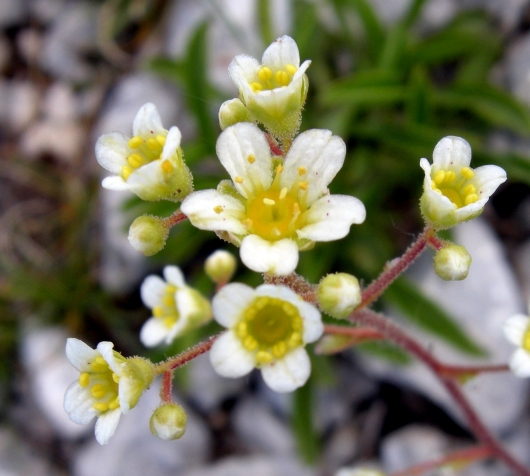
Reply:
x=267, y=328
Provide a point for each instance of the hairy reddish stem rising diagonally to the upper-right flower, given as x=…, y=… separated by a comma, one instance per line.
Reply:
x=394, y=269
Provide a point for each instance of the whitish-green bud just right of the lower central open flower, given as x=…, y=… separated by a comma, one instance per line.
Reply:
x=339, y=294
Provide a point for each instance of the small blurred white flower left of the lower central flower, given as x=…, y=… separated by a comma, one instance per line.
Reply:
x=176, y=307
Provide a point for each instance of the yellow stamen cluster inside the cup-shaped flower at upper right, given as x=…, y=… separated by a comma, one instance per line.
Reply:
x=457, y=186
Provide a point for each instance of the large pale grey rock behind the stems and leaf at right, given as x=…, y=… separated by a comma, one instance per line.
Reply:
x=480, y=303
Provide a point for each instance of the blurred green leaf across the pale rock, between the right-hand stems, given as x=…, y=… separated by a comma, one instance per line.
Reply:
x=424, y=313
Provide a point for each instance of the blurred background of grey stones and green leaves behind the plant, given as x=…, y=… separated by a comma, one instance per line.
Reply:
x=391, y=78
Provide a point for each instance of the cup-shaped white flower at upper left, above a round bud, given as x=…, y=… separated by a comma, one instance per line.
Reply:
x=150, y=163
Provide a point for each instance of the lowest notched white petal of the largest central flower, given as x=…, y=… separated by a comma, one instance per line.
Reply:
x=278, y=258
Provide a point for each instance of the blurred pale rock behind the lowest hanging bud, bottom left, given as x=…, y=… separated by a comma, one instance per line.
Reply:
x=134, y=451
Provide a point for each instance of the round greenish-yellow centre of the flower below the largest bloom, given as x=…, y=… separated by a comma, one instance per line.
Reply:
x=270, y=327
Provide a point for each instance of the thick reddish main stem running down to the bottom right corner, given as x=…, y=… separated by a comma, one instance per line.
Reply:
x=393, y=333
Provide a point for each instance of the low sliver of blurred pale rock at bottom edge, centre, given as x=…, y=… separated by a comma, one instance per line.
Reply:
x=255, y=466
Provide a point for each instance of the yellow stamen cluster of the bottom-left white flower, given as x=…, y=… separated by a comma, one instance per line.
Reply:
x=103, y=384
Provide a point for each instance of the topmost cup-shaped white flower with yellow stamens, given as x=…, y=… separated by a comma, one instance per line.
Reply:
x=274, y=91
